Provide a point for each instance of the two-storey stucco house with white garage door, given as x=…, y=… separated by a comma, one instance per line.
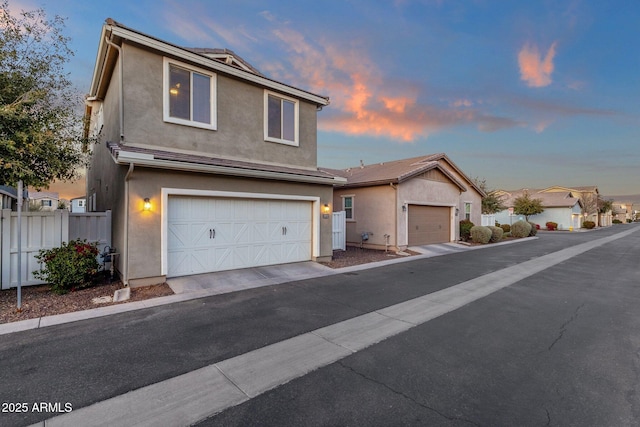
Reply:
x=205, y=163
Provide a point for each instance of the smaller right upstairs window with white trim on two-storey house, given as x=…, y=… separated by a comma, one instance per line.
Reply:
x=280, y=119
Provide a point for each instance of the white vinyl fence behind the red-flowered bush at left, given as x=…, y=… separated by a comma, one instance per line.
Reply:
x=45, y=230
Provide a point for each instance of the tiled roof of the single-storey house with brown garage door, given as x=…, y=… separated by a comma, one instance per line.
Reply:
x=398, y=171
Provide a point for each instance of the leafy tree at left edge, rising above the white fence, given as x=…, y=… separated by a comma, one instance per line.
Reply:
x=40, y=112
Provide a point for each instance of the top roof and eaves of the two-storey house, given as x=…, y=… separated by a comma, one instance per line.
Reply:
x=113, y=33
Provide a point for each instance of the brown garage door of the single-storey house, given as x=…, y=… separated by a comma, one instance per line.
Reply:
x=429, y=224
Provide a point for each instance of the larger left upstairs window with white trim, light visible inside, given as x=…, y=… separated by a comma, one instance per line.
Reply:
x=189, y=95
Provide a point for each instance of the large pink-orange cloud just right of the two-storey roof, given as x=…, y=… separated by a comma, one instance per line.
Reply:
x=363, y=102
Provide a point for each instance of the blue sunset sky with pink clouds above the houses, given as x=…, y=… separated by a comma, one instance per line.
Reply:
x=522, y=94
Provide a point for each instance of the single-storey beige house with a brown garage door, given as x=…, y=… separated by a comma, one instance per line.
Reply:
x=408, y=202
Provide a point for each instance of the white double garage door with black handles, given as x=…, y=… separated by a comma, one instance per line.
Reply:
x=208, y=234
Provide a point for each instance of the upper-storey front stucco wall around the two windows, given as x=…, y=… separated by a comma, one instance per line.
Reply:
x=240, y=118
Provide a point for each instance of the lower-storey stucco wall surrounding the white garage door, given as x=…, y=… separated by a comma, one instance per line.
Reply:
x=145, y=227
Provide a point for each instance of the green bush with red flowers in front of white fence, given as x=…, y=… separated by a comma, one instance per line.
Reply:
x=71, y=266
